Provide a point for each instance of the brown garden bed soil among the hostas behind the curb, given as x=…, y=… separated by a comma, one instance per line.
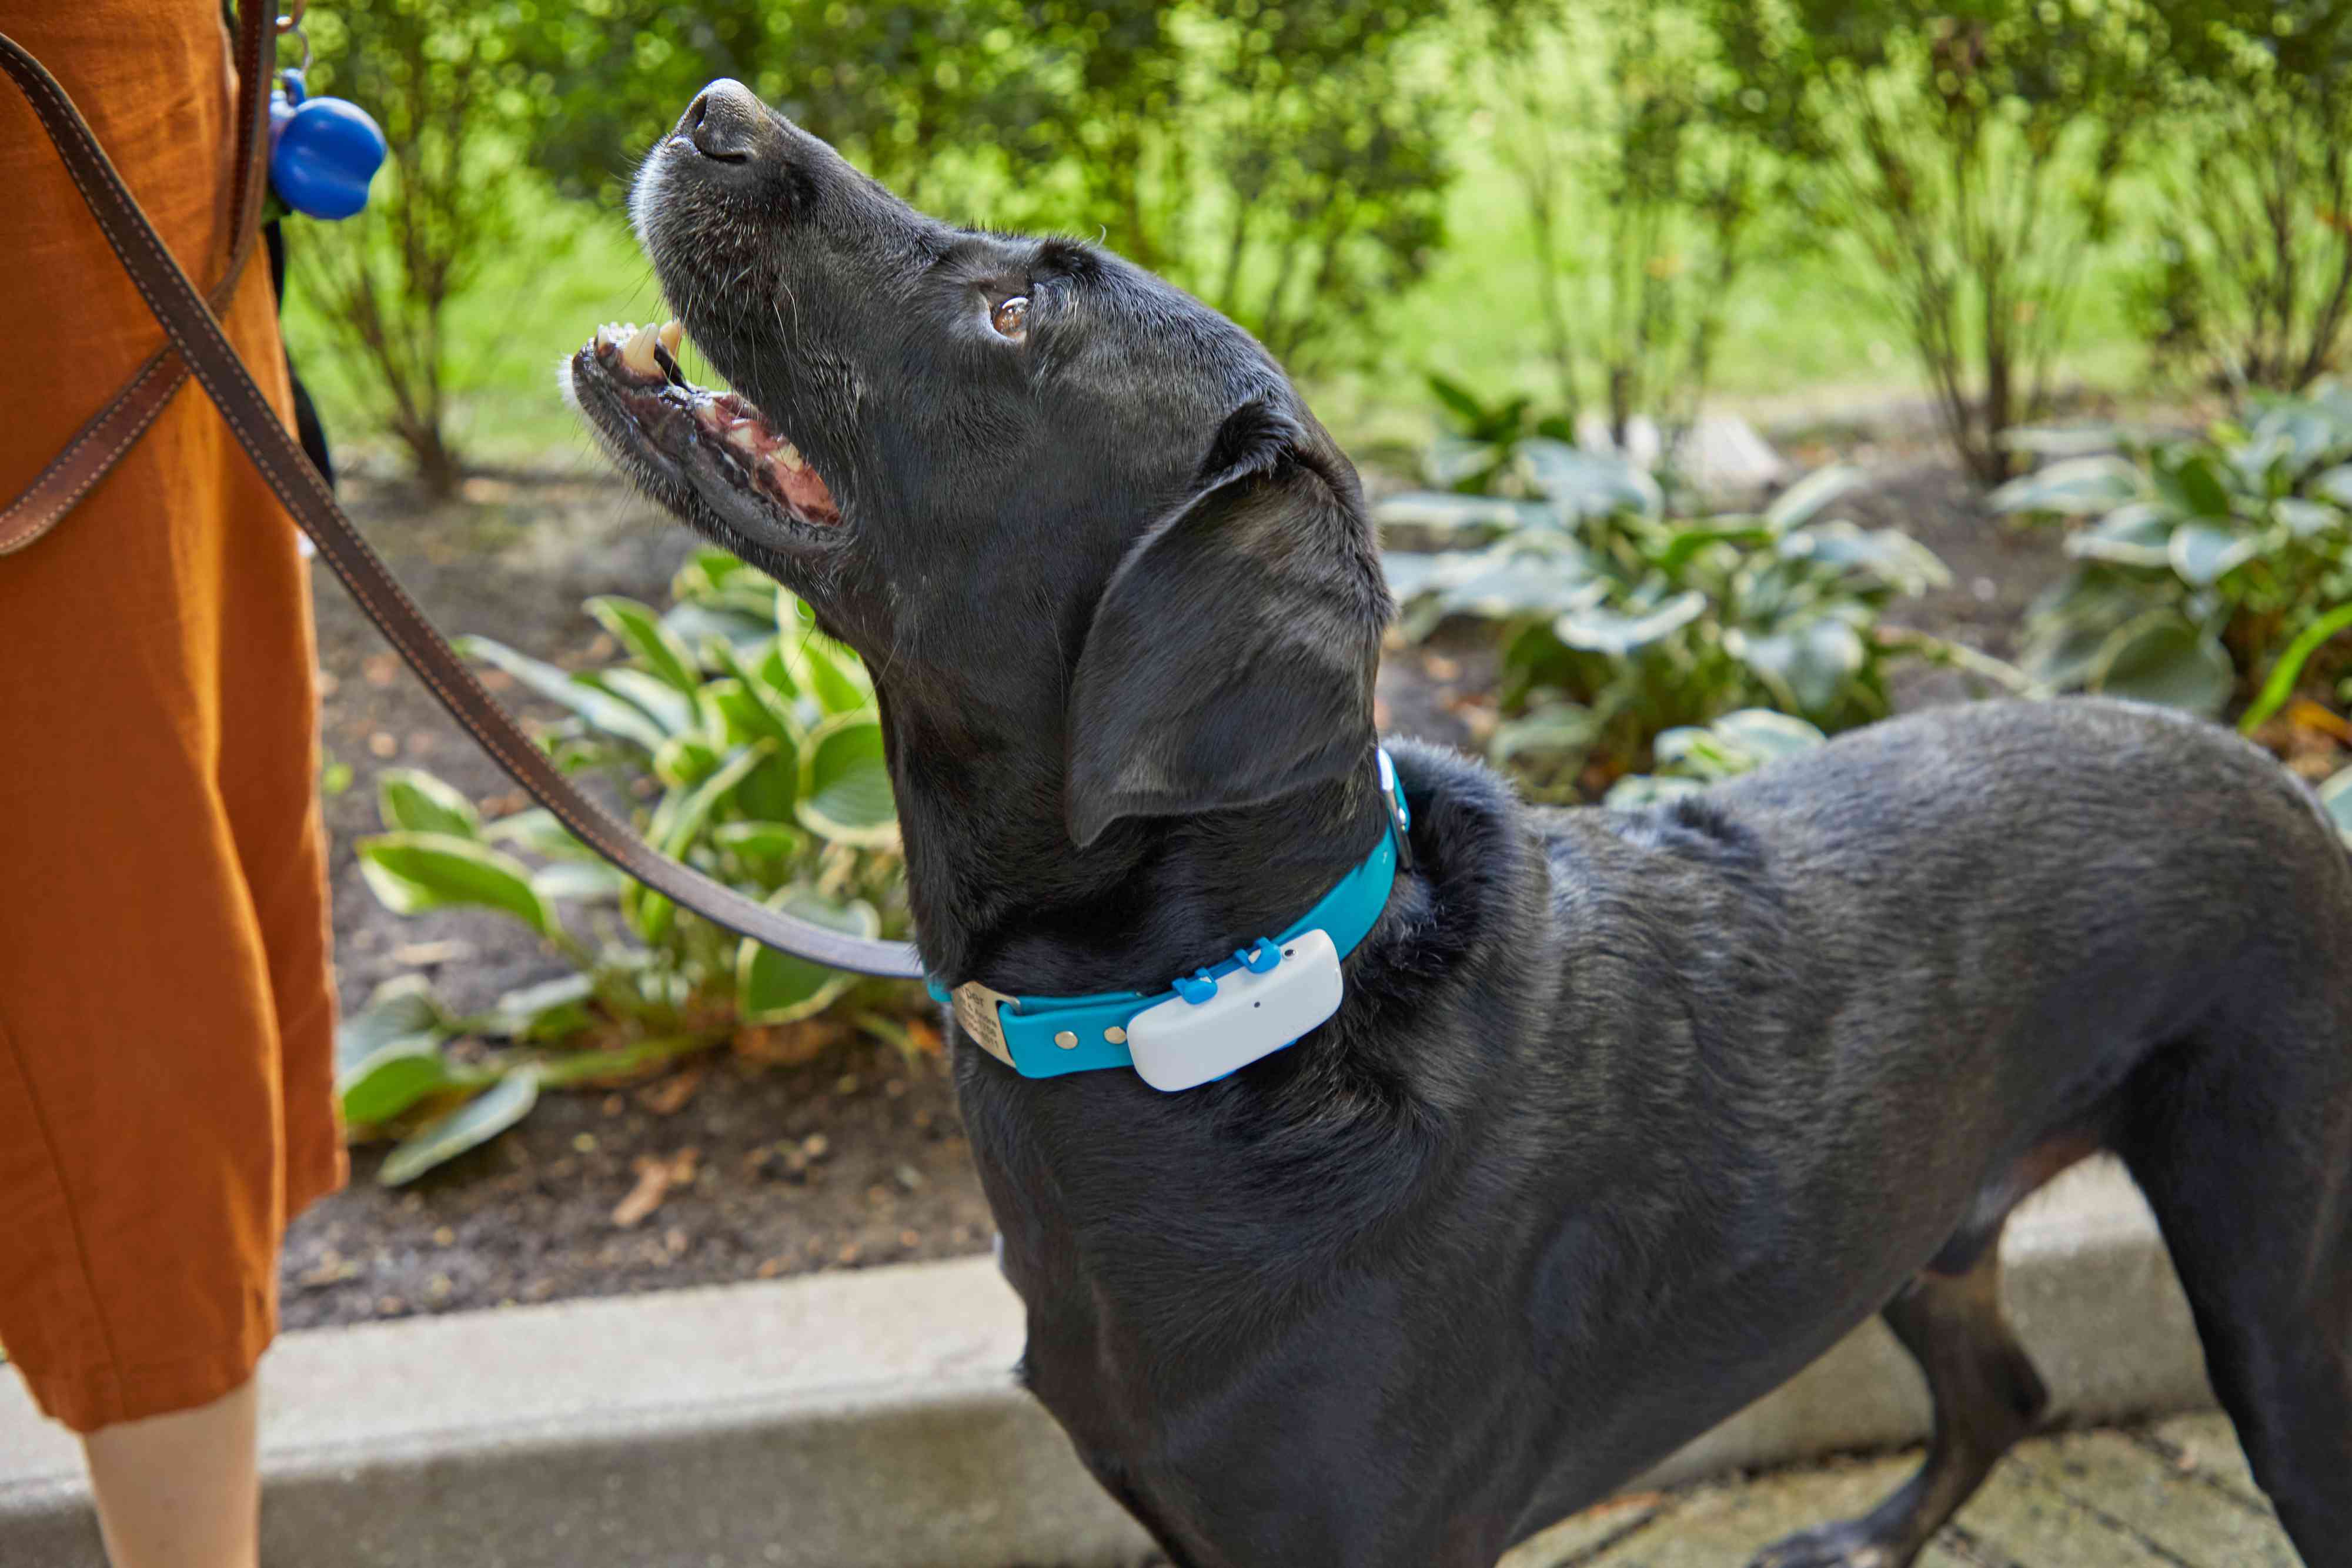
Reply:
x=855, y=1158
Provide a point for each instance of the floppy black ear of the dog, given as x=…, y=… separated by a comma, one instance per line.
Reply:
x=1231, y=659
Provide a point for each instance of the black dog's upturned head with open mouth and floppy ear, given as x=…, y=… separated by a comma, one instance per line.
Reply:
x=1038, y=490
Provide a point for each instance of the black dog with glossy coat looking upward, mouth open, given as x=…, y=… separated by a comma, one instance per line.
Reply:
x=1626, y=1115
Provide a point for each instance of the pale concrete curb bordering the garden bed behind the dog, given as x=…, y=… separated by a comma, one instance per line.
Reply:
x=869, y=1421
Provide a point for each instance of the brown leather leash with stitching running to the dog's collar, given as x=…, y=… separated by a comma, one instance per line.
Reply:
x=208, y=356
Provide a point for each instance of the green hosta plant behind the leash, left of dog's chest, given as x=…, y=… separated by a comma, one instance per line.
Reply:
x=759, y=756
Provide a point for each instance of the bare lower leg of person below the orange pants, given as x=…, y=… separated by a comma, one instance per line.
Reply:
x=182, y=1489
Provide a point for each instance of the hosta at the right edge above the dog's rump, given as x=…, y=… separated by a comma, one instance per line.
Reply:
x=2198, y=561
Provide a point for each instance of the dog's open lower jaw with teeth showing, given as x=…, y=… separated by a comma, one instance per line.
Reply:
x=686, y=436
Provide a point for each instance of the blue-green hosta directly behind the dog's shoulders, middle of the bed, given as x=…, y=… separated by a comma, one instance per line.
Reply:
x=1622, y=622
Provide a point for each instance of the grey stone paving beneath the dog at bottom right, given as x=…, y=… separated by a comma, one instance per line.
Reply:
x=2167, y=1496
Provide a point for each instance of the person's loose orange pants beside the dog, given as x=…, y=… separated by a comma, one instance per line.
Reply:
x=166, y=998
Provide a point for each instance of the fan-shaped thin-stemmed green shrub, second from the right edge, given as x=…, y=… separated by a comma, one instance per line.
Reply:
x=1972, y=154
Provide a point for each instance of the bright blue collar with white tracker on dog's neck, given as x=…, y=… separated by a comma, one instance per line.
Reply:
x=1043, y=1038
